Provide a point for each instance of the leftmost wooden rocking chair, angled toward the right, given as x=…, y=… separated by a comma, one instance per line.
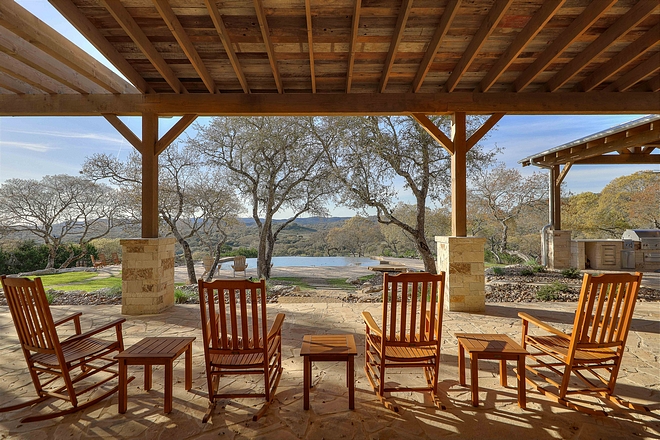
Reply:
x=56, y=367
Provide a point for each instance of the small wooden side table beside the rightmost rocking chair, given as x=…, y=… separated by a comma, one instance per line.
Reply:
x=496, y=347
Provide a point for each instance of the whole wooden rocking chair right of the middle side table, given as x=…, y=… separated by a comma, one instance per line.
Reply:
x=411, y=332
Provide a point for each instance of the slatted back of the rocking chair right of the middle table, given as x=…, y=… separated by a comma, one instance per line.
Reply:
x=408, y=301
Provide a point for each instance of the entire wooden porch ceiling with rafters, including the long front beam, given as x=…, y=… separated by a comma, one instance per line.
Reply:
x=336, y=56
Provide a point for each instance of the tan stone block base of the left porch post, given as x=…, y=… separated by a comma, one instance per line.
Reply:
x=147, y=275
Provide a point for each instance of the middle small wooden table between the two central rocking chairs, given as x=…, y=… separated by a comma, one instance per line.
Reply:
x=330, y=348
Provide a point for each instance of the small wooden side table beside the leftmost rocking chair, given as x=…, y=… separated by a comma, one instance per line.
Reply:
x=154, y=351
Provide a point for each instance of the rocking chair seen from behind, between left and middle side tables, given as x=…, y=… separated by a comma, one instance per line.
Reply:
x=236, y=340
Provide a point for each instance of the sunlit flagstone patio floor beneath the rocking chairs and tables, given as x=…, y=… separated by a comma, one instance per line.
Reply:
x=498, y=416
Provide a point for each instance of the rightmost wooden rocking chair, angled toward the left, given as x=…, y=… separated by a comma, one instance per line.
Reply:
x=593, y=351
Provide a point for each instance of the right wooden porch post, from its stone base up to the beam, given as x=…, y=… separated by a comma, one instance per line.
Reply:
x=459, y=176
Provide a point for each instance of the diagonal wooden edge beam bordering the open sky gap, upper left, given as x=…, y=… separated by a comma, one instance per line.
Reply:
x=94, y=36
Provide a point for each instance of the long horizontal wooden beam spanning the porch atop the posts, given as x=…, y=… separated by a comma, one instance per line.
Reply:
x=305, y=104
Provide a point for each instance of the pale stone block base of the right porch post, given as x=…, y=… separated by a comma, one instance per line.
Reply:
x=462, y=260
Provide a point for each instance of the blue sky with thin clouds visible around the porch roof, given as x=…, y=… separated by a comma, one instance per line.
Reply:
x=34, y=147
